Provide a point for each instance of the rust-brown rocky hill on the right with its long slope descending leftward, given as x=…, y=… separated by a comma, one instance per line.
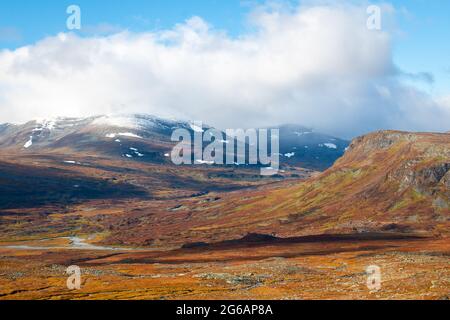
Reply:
x=387, y=182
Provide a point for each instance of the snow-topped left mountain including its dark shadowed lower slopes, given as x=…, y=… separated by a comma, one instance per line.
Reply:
x=56, y=163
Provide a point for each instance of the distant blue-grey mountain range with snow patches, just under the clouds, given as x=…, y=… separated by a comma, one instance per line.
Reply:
x=141, y=137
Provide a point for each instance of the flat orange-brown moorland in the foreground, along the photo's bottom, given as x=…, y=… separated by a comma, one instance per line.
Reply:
x=411, y=269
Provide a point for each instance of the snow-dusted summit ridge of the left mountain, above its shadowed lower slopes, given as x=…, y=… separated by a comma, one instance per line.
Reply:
x=130, y=136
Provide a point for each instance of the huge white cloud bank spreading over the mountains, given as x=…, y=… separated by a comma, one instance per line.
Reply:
x=315, y=65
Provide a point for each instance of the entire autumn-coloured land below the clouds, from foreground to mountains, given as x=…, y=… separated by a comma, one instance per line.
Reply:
x=143, y=228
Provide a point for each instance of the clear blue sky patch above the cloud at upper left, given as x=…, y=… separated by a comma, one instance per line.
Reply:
x=35, y=19
